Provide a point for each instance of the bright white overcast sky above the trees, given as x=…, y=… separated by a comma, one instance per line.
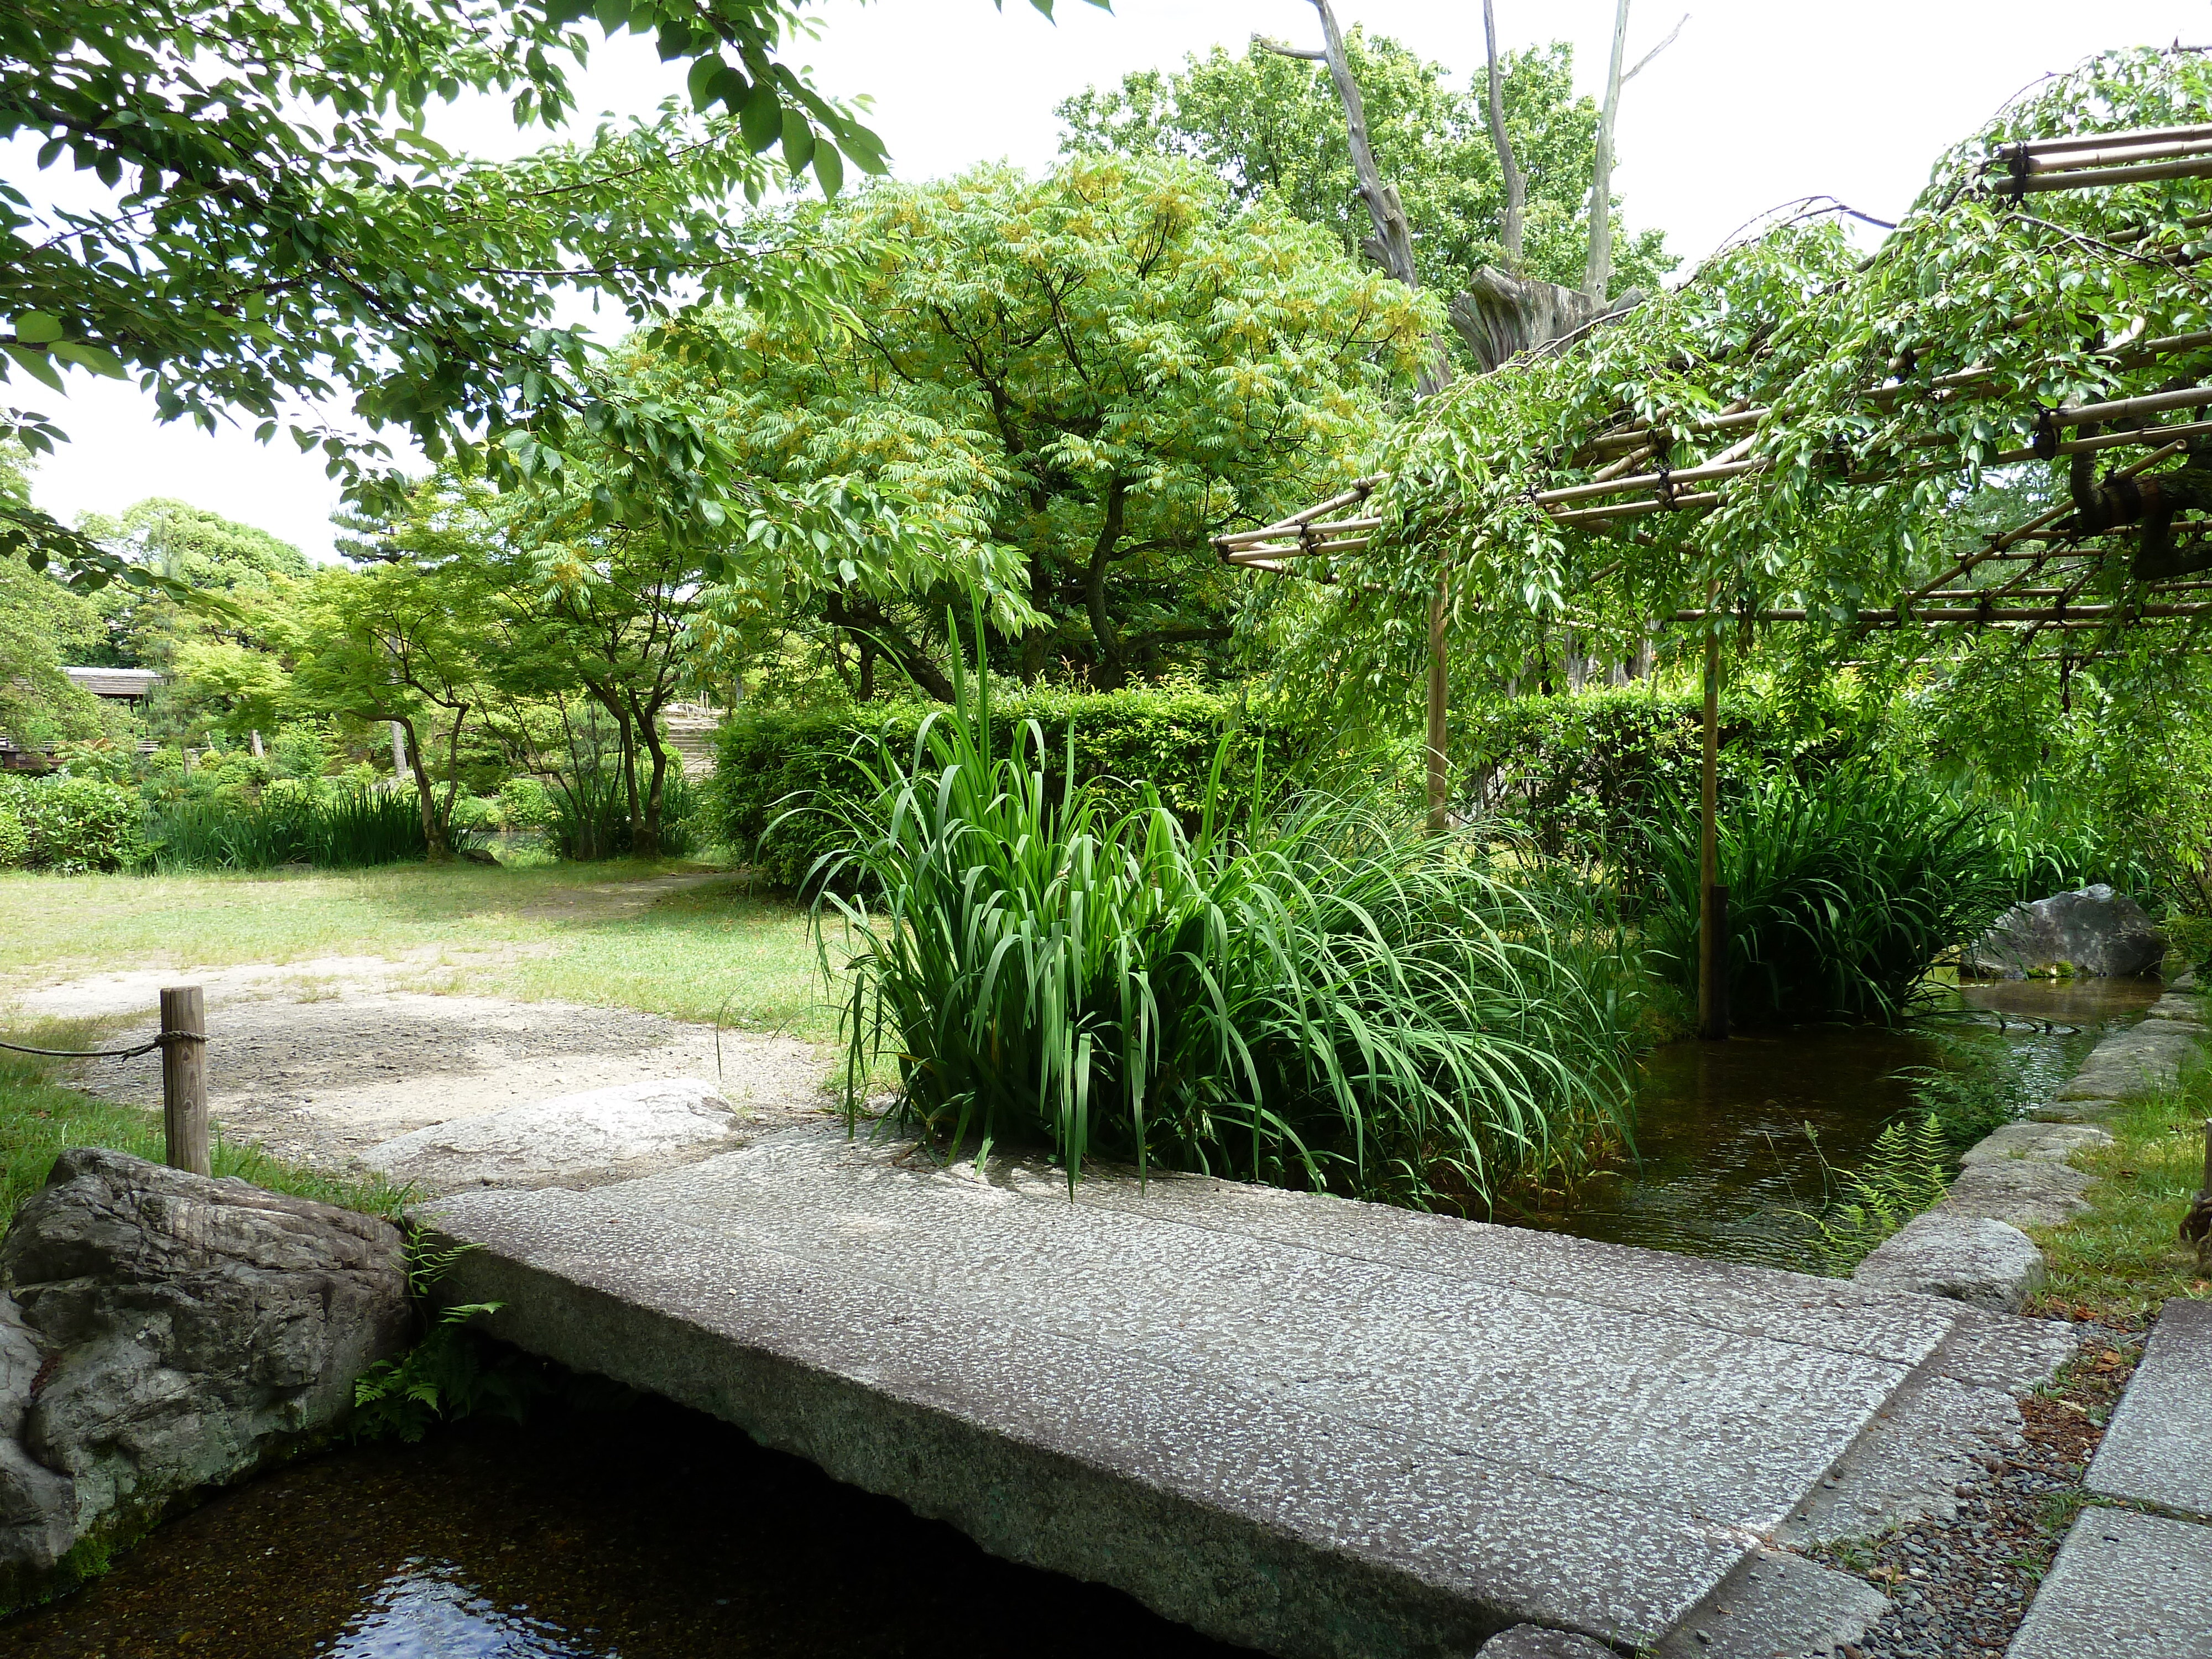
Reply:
x=1755, y=105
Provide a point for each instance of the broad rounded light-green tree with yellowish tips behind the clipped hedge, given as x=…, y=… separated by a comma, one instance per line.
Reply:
x=1085, y=377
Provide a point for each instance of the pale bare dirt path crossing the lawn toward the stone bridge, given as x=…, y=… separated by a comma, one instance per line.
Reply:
x=322, y=1061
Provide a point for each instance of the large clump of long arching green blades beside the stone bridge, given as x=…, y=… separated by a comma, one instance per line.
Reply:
x=1295, y=992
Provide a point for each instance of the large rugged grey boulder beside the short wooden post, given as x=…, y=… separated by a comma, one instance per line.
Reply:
x=163, y=1333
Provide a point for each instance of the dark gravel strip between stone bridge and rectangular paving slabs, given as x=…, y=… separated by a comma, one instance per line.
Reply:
x=1963, y=1585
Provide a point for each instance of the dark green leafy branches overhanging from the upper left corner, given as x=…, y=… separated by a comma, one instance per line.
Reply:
x=273, y=225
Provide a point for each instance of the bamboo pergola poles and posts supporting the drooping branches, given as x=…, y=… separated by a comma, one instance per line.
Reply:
x=1640, y=472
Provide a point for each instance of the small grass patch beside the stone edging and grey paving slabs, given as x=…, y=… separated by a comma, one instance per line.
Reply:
x=2122, y=1260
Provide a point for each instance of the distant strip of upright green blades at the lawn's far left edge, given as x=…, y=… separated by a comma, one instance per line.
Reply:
x=337, y=831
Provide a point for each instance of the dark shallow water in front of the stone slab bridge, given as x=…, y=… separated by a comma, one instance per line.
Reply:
x=643, y=1534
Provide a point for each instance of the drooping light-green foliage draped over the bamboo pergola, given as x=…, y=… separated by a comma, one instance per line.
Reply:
x=1872, y=461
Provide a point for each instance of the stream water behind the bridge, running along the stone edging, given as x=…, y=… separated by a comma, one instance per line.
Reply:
x=1731, y=1136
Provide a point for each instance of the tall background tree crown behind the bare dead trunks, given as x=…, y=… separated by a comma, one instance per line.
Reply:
x=1273, y=125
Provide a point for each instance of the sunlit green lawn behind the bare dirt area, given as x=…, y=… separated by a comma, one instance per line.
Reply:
x=530, y=935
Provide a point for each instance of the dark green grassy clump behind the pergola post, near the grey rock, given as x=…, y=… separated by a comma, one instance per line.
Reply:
x=1841, y=893
